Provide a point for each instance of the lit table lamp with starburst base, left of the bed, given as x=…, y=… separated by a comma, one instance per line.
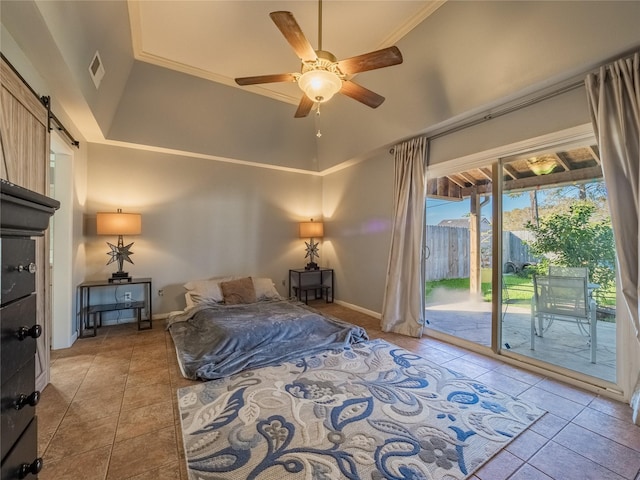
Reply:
x=119, y=223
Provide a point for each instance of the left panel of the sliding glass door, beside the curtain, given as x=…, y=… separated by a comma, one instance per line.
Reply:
x=459, y=255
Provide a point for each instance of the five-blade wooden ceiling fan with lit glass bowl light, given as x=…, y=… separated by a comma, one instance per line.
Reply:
x=321, y=74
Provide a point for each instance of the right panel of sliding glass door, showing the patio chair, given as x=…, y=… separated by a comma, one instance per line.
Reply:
x=558, y=253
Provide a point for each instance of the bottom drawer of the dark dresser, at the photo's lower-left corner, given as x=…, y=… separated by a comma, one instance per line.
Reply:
x=22, y=461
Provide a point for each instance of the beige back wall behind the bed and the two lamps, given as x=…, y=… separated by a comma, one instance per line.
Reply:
x=200, y=218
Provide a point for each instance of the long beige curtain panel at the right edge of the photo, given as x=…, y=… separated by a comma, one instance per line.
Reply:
x=614, y=104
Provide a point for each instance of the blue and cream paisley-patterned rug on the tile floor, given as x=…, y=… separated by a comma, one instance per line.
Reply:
x=372, y=411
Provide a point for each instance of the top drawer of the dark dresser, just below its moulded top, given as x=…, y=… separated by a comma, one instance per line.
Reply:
x=18, y=268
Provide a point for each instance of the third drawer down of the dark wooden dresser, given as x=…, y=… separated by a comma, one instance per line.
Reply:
x=17, y=391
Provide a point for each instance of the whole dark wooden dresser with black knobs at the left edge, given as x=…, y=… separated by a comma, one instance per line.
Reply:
x=23, y=215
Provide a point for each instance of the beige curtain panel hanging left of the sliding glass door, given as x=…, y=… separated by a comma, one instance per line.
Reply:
x=403, y=304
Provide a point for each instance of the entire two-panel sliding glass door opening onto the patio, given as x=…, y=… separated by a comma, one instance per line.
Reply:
x=546, y=292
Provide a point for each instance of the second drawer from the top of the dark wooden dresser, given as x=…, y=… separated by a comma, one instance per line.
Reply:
x=14, y=318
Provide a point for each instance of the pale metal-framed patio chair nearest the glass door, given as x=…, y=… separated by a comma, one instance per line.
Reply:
x=562, y=298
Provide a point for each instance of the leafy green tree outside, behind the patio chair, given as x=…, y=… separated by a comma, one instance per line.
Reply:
x=574, y=239
